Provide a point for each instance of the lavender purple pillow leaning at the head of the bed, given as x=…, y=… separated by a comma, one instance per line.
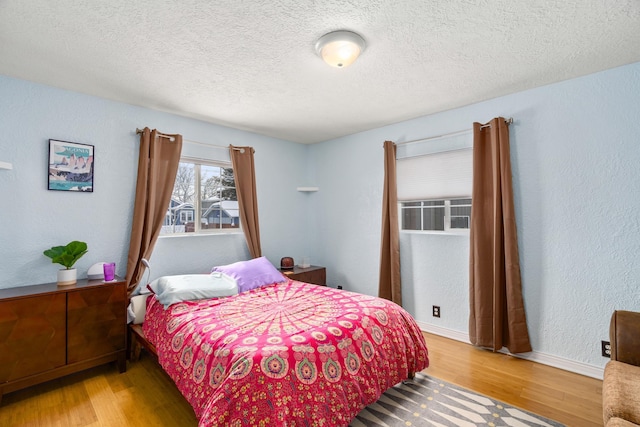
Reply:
x=251, y=274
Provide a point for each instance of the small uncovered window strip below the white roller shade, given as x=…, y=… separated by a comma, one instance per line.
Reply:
x=435, y=215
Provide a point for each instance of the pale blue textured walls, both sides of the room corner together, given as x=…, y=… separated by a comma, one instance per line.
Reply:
x=575, y=154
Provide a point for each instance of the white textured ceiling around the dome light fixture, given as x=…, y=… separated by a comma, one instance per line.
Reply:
x=251, y=65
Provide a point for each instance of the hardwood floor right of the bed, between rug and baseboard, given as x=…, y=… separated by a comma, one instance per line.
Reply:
x=572, y=399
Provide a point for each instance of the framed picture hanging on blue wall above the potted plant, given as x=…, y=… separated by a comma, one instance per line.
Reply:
x=70, y=166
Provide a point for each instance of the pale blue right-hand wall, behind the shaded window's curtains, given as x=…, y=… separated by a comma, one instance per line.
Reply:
x=575, y=149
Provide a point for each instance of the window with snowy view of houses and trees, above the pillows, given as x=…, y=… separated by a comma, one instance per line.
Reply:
x=207, y=188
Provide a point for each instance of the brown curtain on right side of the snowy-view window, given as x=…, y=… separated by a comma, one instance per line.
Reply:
x=245, y=177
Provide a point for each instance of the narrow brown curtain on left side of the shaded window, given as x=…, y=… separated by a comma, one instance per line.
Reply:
x=390, y=286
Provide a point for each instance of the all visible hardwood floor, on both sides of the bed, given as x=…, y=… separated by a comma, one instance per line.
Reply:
x=145, y=396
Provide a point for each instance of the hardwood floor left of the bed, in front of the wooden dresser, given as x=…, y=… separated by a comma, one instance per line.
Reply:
x=142, y=396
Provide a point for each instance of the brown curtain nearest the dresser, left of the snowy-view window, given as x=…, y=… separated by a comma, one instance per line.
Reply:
x=157, y=167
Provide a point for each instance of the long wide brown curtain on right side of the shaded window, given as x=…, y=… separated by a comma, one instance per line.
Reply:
x=497, y=316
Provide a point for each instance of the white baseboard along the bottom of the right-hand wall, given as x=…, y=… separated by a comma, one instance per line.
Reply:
x=534, y=356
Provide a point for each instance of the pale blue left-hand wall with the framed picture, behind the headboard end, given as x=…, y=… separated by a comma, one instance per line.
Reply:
x=33, y=219
